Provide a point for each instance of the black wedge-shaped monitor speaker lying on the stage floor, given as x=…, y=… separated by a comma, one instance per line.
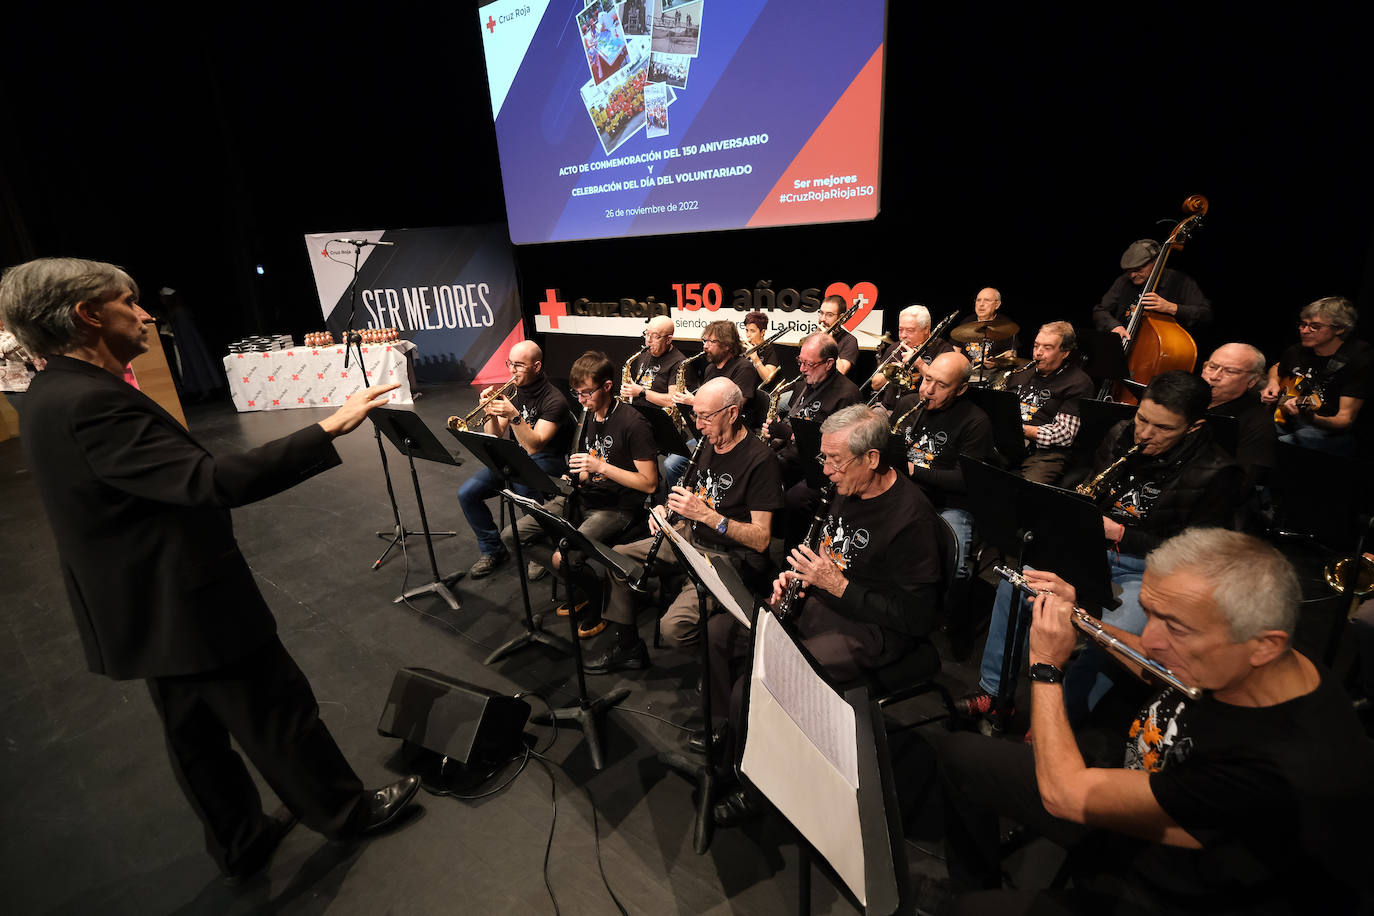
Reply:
x=465, y=723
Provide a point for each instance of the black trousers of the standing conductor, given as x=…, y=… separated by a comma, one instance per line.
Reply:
x=264, y=702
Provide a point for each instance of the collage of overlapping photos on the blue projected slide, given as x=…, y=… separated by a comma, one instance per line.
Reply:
x=638, y=53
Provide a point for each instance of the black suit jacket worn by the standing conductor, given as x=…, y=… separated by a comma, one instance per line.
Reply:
x=141, y=513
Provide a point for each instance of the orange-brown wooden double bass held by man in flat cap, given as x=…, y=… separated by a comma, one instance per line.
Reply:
x=1156, y=343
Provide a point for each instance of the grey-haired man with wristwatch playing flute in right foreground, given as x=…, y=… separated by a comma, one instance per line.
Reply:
x=1250, y=800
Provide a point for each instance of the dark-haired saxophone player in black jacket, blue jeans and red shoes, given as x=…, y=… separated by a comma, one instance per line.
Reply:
x=1180, y=479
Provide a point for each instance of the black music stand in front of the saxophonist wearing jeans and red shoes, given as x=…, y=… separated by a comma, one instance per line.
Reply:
x=1041, y=527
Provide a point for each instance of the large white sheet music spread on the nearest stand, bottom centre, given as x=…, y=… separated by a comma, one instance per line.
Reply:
x=802, y=752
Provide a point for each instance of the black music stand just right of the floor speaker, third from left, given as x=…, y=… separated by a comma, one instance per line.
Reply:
x=576, y=549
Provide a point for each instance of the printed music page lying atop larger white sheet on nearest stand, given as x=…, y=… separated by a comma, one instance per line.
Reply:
x=818, y=711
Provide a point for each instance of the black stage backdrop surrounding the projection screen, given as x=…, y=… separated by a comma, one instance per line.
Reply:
x=1023, y=149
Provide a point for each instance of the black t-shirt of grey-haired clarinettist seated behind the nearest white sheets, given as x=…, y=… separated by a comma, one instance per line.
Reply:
x=887, y=549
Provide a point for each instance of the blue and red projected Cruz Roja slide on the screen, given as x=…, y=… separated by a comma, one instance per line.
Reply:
x=648, y=117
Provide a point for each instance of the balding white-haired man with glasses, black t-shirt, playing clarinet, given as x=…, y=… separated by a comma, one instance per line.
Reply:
x=726, y=507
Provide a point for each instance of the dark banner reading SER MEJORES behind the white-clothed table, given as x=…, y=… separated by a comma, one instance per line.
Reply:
x=450, y=290
